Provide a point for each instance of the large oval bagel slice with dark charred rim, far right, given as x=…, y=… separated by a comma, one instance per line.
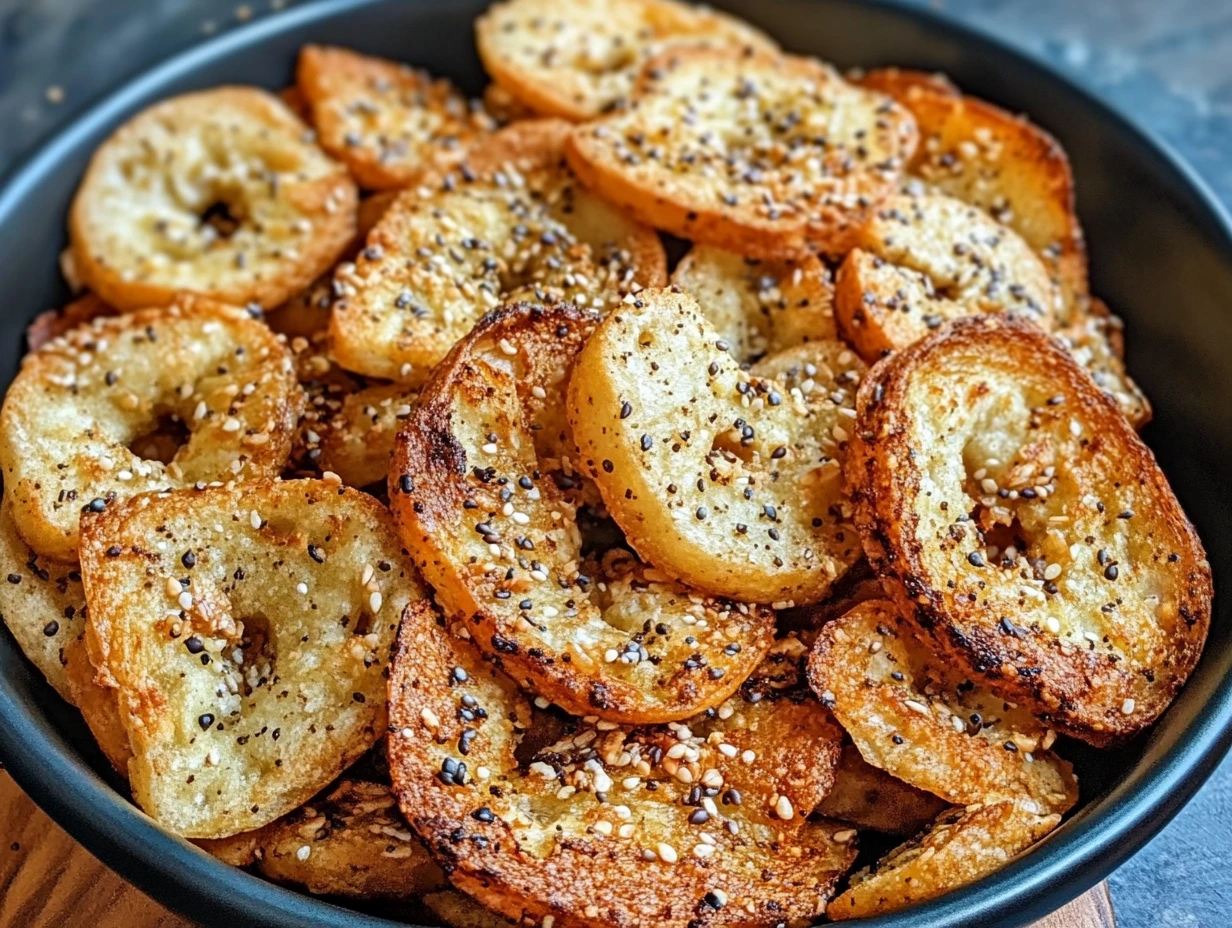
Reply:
x=1019, y=521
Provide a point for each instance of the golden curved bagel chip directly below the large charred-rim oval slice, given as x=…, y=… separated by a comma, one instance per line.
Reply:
x=917, y=719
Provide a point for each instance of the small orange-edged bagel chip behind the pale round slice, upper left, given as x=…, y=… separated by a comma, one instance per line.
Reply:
x=387, y=123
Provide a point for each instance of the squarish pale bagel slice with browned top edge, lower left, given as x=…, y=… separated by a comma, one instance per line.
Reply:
x=247, y=634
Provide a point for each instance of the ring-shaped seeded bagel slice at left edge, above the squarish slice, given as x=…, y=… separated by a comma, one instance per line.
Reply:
x=76, y=418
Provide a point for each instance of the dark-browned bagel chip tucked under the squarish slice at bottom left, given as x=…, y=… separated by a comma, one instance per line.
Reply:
x=351, y=842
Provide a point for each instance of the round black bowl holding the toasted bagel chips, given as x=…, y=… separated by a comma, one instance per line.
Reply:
x=1161, y=254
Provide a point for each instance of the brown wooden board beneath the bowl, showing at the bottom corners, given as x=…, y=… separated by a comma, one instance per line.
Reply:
x=47, y=881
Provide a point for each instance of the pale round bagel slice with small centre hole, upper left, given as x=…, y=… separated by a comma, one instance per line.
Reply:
x=221, y=194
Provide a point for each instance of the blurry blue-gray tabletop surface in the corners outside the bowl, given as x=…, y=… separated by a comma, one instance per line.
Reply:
x=1169, y=65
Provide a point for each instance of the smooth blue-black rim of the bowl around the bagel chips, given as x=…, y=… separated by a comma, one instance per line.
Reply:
x=41, y=761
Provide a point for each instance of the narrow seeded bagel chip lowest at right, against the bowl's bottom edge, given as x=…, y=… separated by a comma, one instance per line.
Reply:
x=963, y=846
